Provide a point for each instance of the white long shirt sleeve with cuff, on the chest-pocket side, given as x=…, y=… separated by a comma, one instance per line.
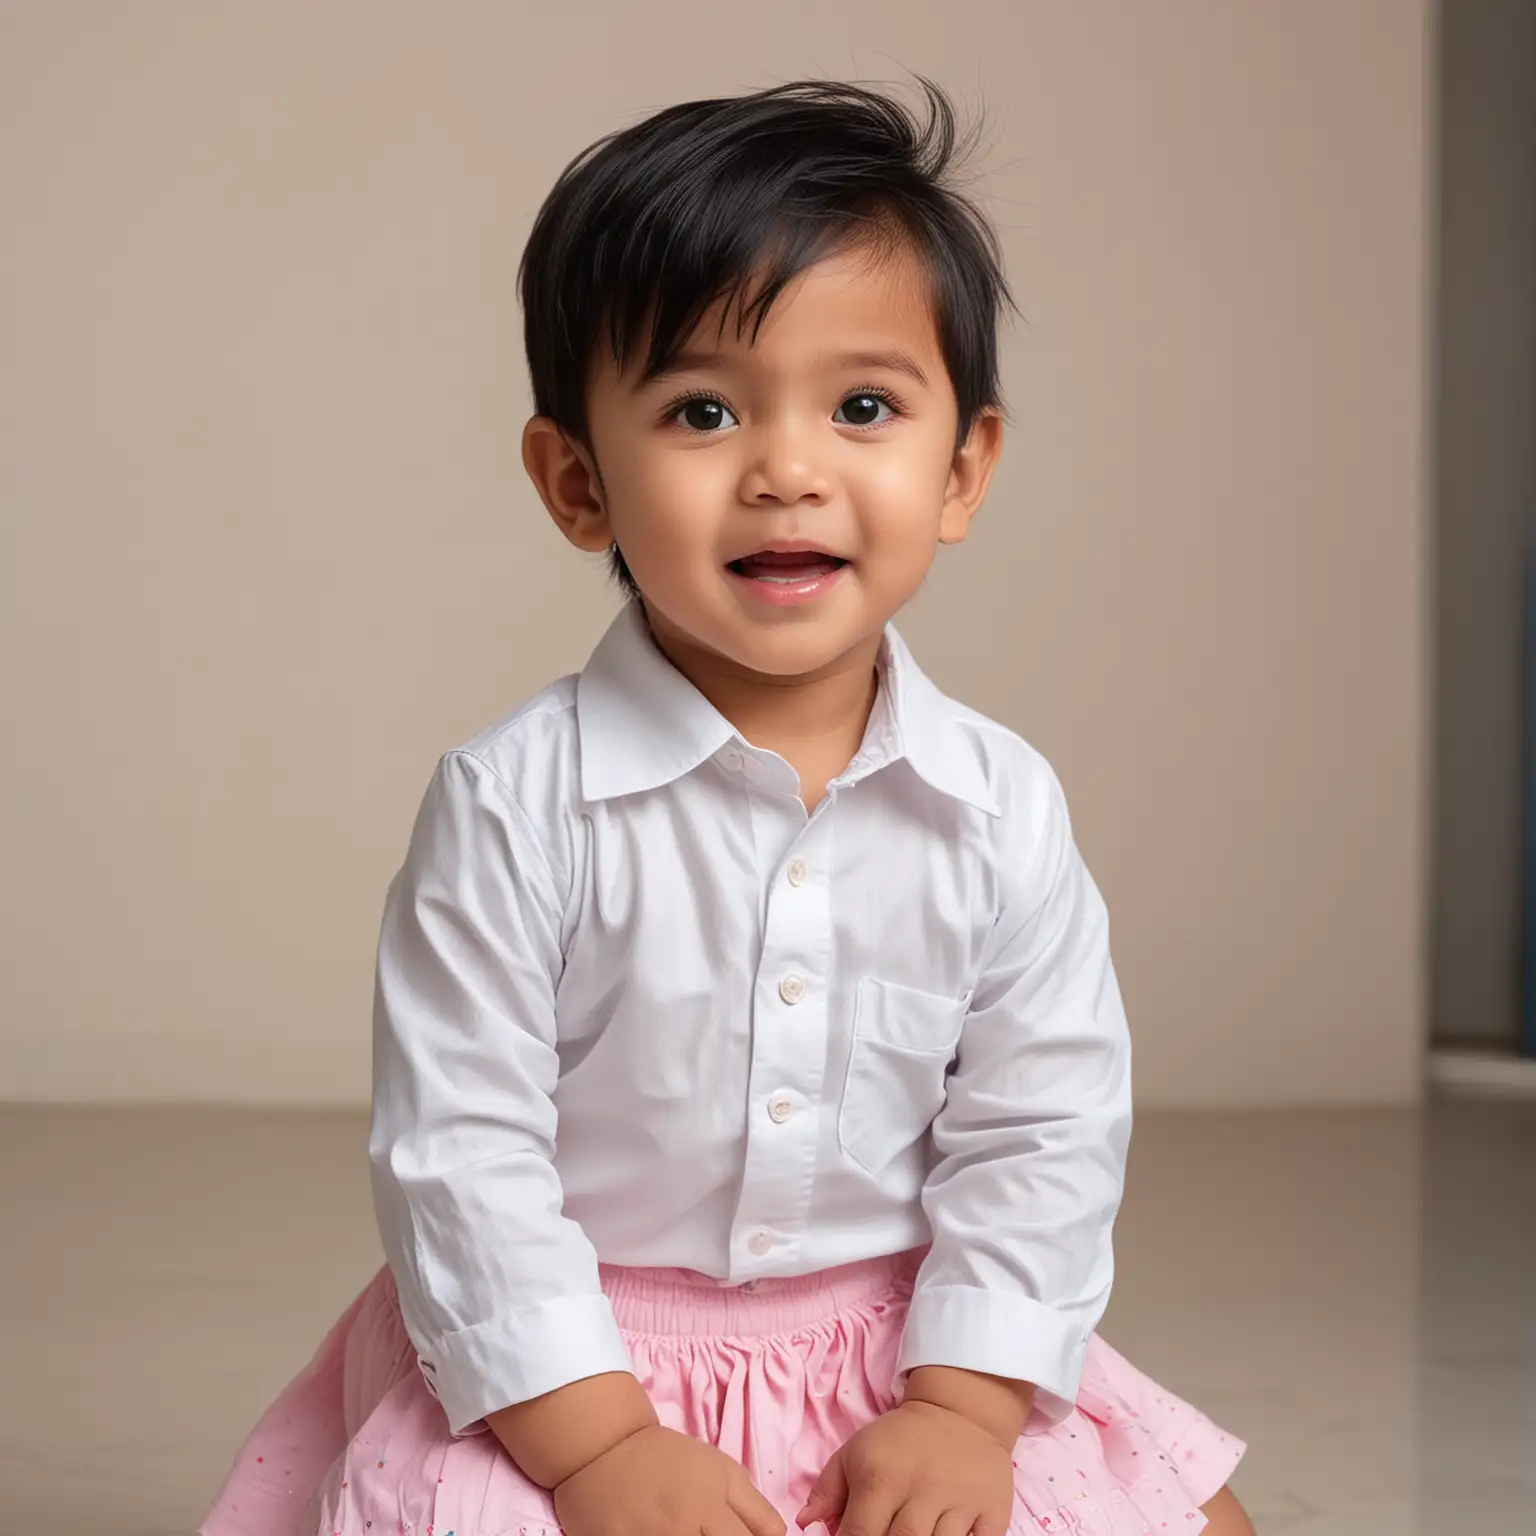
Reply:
x=1031, y=1144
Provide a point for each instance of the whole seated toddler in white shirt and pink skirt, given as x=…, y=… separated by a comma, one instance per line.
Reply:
x=752, y=1084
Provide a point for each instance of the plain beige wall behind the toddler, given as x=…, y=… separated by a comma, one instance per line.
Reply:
x=268, y=549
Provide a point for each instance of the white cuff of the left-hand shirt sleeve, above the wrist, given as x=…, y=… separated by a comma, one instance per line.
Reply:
x=521, y=1356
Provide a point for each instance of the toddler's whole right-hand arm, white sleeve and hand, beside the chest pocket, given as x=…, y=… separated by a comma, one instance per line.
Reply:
x=1033, y=1142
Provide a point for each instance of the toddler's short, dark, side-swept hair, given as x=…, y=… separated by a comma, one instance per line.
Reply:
x=732, y=199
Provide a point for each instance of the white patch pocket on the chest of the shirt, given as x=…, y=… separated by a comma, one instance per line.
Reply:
x=904, y=1044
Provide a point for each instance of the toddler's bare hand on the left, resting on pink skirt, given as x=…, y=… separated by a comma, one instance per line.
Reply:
x=660, y=1483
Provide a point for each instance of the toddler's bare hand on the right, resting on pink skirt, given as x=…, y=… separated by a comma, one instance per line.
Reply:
x=918, y=1471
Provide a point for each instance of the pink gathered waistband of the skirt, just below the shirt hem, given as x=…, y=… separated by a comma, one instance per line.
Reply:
x=681, y=1302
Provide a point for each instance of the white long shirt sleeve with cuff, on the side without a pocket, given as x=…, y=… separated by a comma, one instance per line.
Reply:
x=498, y=1288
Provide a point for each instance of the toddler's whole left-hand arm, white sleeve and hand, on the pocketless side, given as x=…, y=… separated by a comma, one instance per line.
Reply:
x=497, y=1286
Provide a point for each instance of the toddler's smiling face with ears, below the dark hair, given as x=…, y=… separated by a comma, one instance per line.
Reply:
x=835, y=428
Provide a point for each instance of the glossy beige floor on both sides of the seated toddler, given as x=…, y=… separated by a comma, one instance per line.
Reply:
x=1356, y=1294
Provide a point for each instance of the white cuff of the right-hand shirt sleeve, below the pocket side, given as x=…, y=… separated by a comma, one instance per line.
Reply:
x=999, y=1336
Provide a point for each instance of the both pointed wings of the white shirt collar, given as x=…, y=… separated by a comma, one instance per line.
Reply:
x=644, y=726
